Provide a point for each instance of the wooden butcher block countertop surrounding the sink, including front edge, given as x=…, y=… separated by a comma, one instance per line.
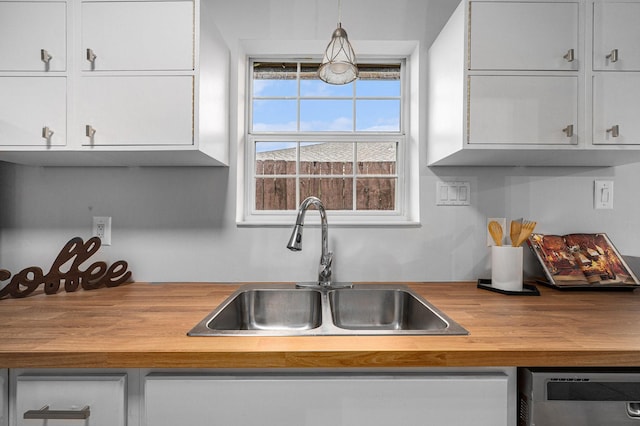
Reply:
x=144, y=325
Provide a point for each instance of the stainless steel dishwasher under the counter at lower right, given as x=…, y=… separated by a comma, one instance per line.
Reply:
x=578, y=397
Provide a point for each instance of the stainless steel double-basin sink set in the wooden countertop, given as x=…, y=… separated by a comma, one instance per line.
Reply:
x=285, y=310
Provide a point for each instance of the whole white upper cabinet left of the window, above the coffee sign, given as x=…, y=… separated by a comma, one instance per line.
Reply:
x=128, y=83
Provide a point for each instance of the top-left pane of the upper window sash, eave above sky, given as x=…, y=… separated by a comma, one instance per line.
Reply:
x=275, y=80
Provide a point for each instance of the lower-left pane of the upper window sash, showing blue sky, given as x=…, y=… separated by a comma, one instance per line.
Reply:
x=274, y=116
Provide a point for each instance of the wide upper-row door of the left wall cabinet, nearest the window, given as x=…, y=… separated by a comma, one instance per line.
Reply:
x=147, y=35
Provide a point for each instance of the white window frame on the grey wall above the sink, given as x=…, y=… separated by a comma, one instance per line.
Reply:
x=407, y=194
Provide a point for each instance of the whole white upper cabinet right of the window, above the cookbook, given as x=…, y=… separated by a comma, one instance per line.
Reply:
x=520, y=83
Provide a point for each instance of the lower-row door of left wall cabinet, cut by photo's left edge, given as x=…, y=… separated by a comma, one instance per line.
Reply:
x=30, y=104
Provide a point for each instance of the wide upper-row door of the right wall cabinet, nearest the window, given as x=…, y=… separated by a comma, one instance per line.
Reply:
x=523, y=36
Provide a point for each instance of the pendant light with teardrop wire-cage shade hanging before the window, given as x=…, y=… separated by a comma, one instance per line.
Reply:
x=339, y=61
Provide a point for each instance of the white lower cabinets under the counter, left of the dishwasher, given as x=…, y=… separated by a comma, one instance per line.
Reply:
x=159, y=397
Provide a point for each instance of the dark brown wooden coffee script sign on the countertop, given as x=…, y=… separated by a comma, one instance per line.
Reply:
x=73, y=255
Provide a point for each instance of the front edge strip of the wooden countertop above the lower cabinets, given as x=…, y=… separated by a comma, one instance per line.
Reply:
x=314, y=359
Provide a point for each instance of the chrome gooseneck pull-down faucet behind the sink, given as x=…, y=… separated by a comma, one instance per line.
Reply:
x=326, y=257
